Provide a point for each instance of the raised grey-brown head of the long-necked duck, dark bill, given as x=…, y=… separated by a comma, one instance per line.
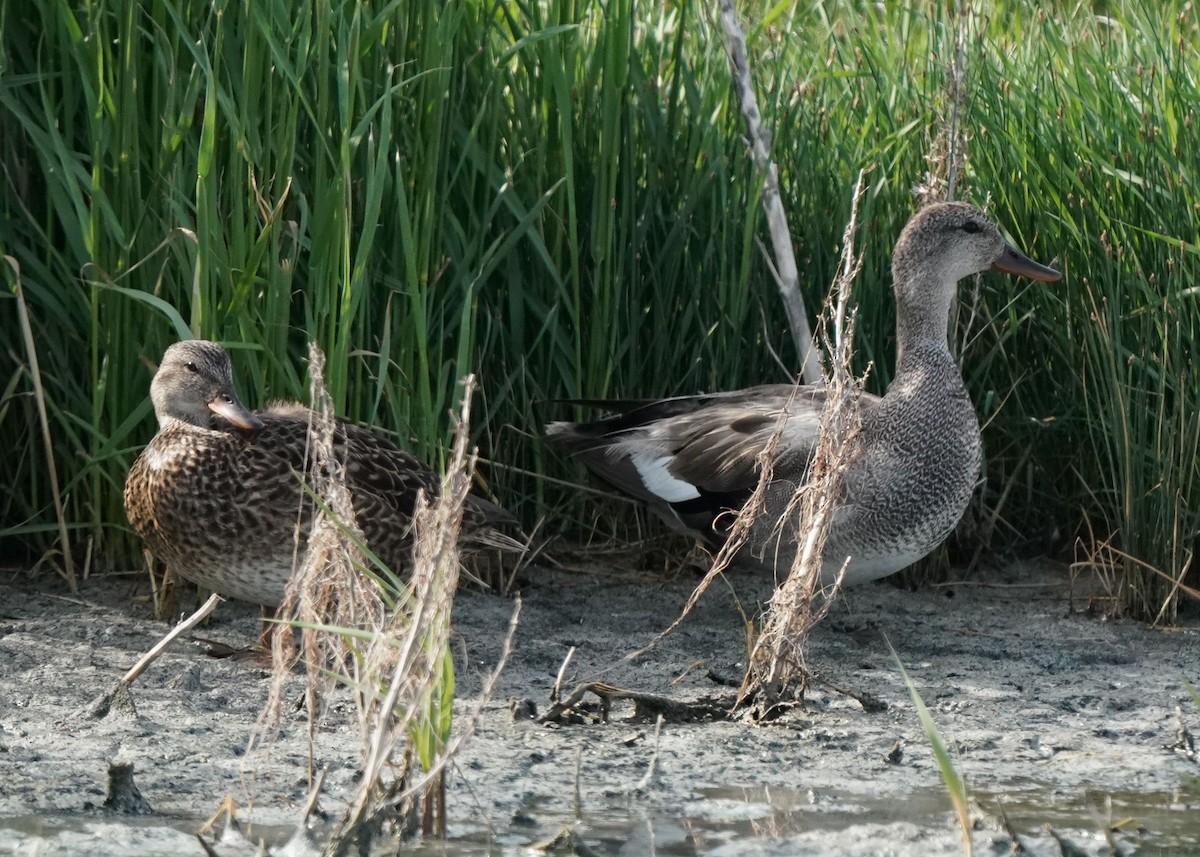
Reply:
x=940, y=245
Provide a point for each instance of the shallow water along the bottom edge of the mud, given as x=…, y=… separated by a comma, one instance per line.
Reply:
x=721, y=823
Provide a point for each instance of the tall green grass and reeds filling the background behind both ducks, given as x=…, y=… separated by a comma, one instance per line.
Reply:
x=557, y=197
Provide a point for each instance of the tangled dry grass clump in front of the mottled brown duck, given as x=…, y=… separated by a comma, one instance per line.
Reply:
x=389, y=644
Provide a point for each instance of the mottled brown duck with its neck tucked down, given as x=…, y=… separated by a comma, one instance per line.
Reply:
x=218, y=496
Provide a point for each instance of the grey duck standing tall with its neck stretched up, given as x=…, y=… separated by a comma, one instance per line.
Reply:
x=693, y=459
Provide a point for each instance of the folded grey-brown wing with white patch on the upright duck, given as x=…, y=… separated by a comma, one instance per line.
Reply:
x=694, y=458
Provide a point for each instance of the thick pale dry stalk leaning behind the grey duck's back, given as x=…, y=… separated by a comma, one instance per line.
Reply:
x=784, y=265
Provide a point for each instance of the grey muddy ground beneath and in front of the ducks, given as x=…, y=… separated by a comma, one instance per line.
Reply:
x=1057, y=716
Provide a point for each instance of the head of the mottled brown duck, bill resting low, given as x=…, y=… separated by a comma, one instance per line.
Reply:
x=194, y=382
